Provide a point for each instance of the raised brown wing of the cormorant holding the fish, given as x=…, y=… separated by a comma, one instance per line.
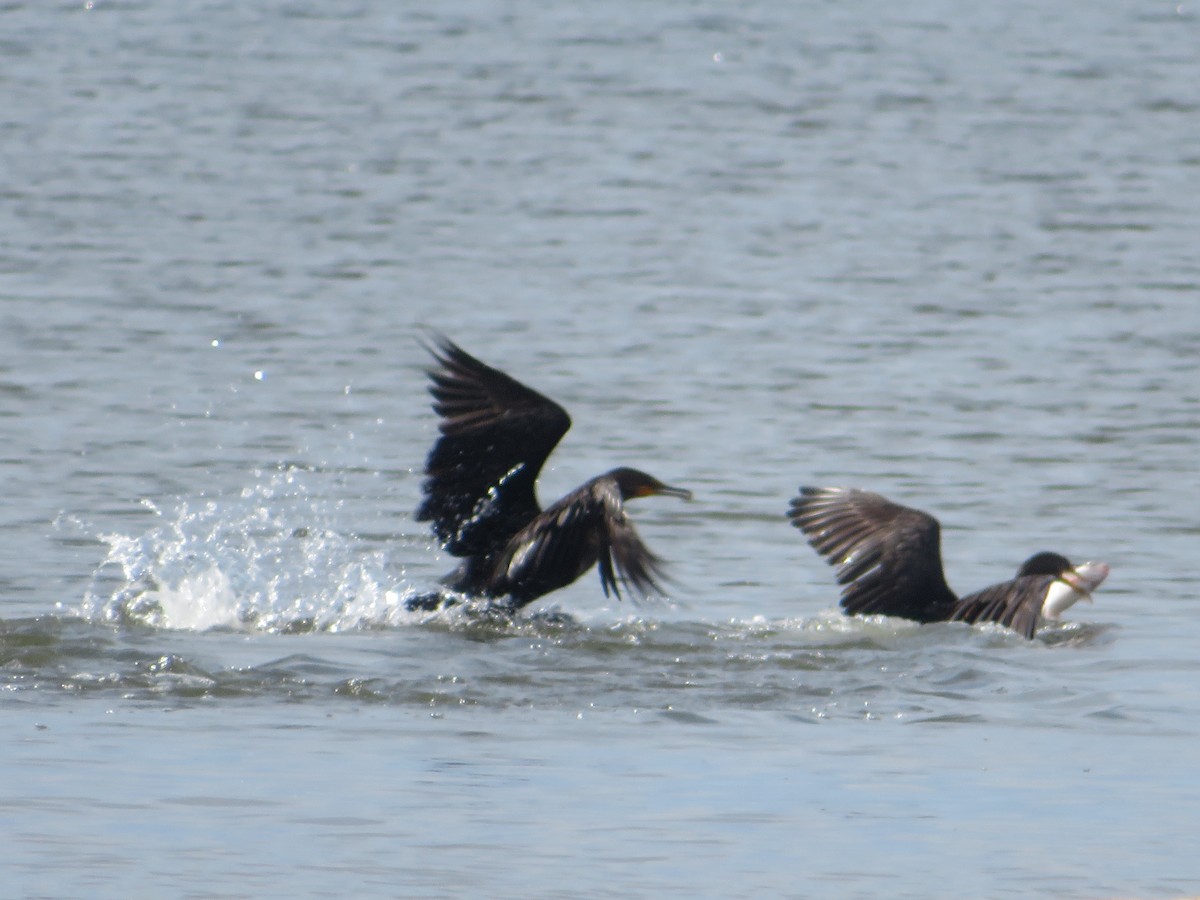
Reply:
x=889, y=557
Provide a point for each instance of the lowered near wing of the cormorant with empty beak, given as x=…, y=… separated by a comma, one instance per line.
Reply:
x=590, y=526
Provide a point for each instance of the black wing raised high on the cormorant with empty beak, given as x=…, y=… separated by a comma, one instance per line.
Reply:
x=496, y=436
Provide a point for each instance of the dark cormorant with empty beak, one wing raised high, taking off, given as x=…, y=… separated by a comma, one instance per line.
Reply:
x=479, y=495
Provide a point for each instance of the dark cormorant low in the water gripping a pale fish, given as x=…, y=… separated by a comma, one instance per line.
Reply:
x=890, y=562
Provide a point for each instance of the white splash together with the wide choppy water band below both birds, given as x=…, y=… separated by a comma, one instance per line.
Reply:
x=165, y=611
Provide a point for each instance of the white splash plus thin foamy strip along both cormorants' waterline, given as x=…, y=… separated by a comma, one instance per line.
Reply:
x=273, y=560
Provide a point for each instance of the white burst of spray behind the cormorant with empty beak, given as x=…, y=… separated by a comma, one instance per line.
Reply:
x=269, y=560
